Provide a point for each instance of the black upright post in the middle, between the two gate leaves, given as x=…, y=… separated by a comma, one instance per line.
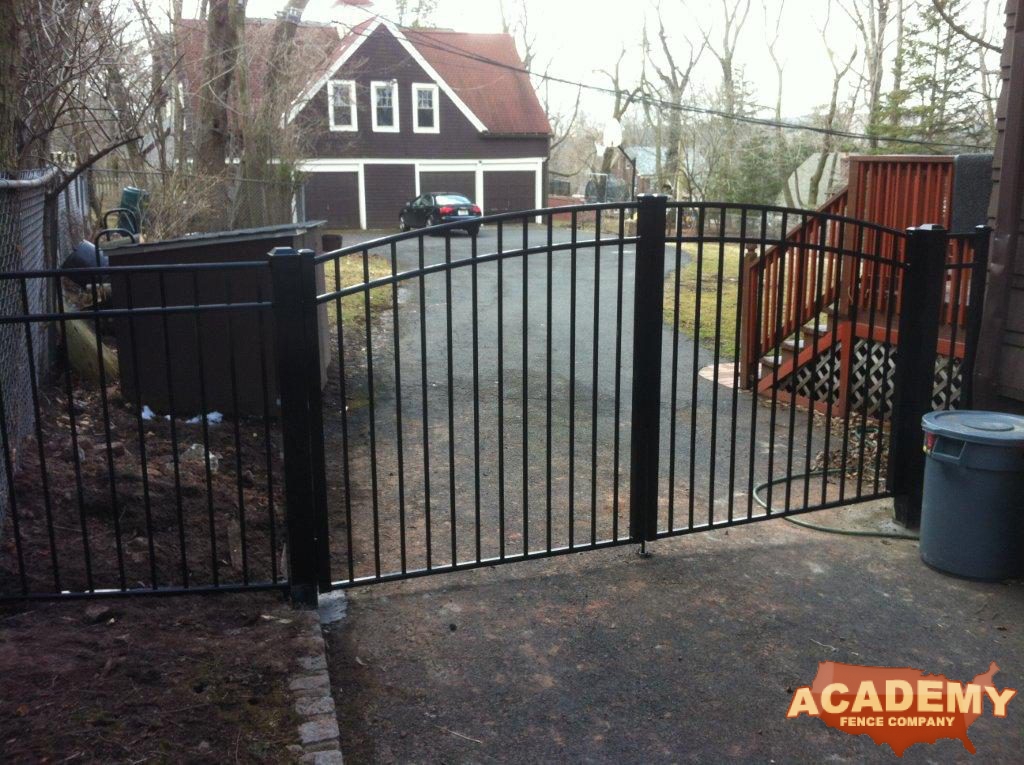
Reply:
x=649, y=295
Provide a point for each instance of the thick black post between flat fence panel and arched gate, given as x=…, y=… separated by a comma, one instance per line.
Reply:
x=297, y=355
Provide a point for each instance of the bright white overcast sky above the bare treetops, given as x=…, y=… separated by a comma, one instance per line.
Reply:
x=576, y=39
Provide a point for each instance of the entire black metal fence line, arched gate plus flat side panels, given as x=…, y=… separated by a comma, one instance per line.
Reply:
x=544, y=389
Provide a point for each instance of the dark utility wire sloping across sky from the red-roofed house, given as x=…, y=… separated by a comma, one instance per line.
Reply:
x=662, y=104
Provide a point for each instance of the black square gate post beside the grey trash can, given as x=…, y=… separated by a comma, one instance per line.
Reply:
x=924, y=280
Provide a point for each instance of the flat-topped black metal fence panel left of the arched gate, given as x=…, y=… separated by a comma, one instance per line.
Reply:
x=108, y=495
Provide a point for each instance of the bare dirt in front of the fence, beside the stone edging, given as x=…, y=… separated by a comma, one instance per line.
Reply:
x=179, y=679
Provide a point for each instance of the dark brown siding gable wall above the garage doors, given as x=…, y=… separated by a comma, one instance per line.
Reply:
x=382, y=58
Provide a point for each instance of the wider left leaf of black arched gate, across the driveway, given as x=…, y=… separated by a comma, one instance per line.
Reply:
x=480, y=410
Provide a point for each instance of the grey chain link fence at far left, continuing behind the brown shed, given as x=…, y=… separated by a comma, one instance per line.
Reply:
x=40, y=228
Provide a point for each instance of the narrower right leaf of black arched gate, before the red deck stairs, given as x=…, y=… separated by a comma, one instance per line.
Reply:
x=744, y=445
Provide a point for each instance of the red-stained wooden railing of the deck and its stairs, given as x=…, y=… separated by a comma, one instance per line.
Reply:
x=892, y=192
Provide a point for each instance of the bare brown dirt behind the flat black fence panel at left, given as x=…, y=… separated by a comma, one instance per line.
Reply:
x=179, y=524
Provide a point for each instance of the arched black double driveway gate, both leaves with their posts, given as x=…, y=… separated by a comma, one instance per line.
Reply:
x=531, y=393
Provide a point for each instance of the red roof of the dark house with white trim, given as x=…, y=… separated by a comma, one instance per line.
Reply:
x=484, y=70
